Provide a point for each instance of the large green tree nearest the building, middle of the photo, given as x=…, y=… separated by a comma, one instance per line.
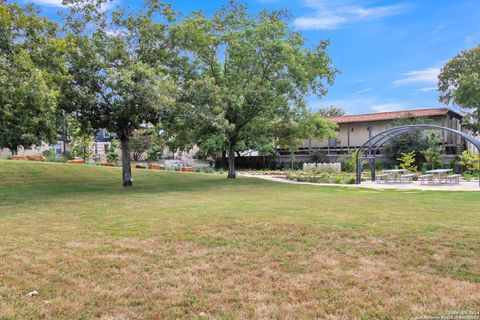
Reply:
x=251, y=74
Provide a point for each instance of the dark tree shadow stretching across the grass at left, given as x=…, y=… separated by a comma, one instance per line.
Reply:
x=50, y=190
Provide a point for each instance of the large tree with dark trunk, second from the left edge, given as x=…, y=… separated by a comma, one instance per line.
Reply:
x=119, y=63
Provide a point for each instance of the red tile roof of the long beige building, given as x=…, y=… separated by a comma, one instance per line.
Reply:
x=380, y=116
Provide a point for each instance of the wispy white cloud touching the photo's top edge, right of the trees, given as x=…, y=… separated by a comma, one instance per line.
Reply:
x=334, y=14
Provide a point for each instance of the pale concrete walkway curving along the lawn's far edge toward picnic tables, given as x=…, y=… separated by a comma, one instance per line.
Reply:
x=463, y=186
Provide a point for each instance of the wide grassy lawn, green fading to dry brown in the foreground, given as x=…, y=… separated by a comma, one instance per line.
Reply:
x=197, y=246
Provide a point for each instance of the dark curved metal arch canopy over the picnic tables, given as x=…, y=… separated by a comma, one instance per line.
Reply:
x=370, y=148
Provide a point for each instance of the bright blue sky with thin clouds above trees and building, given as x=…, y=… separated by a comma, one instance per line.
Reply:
x=389, y=52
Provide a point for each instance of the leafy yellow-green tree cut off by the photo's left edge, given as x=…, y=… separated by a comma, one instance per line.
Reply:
x=30, y=61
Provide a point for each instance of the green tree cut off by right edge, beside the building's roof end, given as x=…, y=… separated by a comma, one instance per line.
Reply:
x=459, y=84
